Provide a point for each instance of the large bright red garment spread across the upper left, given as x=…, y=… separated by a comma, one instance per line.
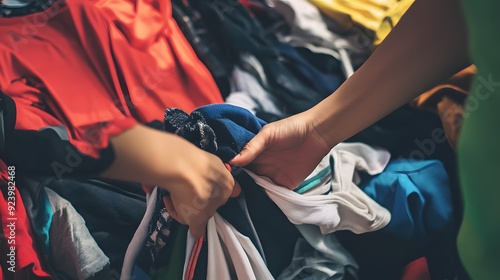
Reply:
x=97, y=67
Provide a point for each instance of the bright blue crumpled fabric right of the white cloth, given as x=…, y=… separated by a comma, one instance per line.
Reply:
x=418, y=196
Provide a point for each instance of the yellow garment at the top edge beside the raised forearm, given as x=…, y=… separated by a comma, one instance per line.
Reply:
x=367, y=13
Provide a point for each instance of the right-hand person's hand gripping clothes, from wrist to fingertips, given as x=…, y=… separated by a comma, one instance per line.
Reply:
x=286, y=151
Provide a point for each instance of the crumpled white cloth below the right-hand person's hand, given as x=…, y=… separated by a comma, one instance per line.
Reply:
x=346, y=207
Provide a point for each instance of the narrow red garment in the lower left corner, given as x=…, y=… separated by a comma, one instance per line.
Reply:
x=27, y=260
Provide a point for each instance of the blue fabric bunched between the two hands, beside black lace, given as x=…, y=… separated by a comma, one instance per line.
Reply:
x=233, y=126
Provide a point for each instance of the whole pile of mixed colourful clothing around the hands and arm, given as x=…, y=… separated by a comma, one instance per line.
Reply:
x=382, y=205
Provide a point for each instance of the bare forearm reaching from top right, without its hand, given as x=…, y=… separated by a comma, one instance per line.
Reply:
x=427, y=46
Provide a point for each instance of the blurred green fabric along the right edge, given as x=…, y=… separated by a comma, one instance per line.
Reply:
x=479, y=145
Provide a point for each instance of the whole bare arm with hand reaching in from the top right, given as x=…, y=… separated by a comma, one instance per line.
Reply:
x=427, y=46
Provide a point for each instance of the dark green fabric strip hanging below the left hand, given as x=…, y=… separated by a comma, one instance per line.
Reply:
x=175, y=256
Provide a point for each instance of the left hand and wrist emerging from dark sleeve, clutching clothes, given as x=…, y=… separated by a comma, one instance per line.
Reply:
x=198, y=181
